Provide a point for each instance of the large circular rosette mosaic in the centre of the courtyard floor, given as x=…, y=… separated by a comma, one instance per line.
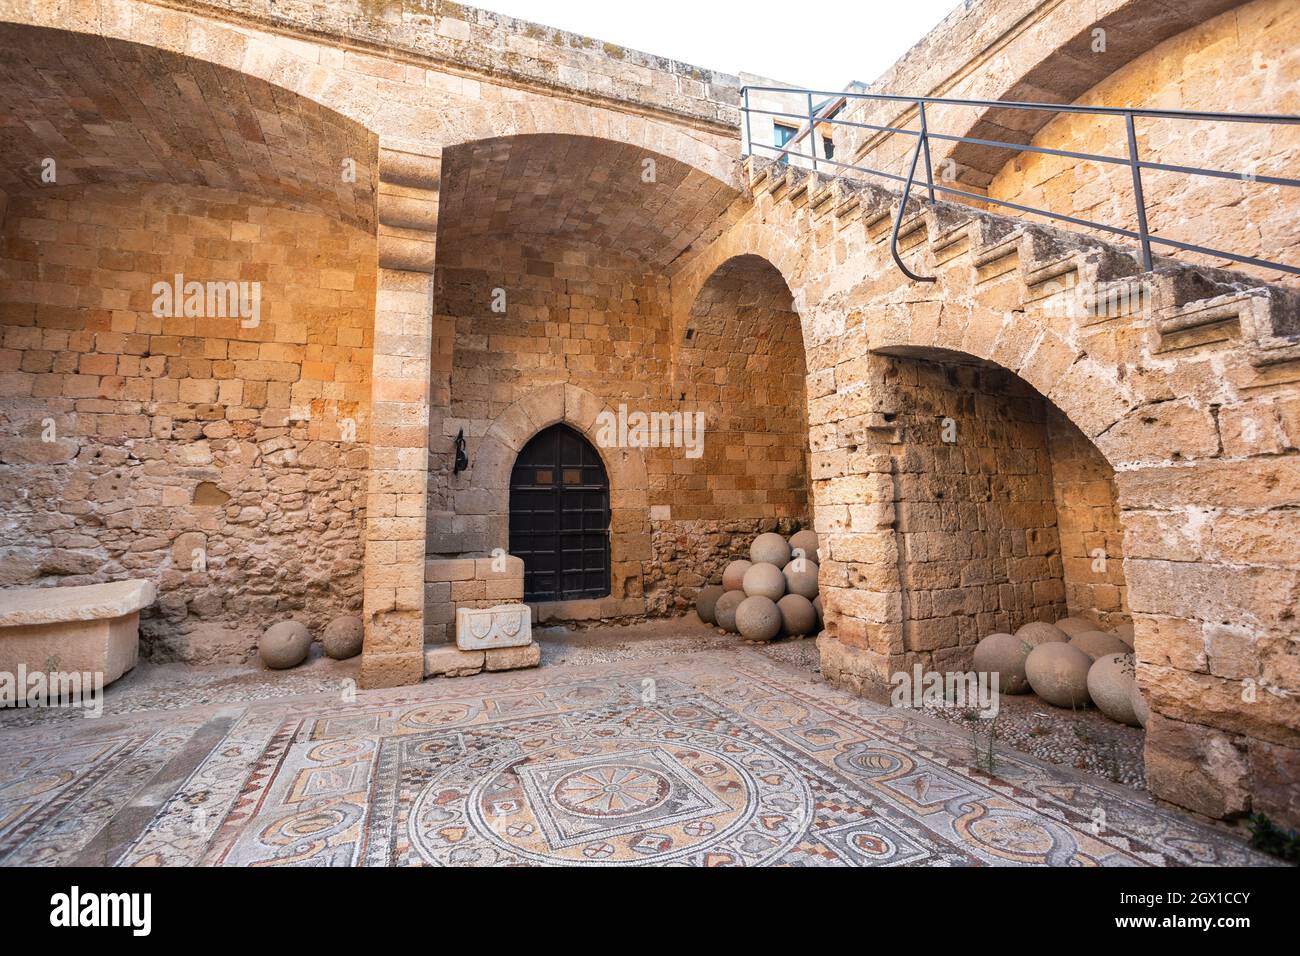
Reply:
x=681, y=795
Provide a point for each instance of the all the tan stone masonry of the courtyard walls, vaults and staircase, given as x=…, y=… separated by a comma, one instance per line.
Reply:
x=465, y=224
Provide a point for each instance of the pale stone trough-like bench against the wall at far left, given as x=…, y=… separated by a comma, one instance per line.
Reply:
x=93, y=628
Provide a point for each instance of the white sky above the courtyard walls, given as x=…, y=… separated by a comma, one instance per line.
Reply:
x=821, y=45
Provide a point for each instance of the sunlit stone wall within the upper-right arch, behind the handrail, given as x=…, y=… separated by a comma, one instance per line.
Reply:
x=1245, y=60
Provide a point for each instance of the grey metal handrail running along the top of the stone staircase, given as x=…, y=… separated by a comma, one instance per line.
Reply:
x=1143, y=235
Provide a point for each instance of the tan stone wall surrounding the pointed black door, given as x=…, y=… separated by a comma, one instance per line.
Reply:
x=600, y=325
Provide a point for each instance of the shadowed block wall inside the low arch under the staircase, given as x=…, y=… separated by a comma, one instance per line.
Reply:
x=983, y=485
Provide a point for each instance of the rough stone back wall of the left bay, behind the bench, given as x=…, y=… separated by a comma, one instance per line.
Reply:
x=224, y=464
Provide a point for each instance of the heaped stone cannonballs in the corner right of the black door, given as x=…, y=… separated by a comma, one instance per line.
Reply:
x=770, y=595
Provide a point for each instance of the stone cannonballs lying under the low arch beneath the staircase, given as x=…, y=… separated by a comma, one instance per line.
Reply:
x=1071, y=664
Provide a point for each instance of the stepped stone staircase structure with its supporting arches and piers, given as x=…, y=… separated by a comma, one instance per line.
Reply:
x=1182, y=379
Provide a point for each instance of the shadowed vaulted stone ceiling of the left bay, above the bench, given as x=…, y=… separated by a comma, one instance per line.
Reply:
x=114, y=113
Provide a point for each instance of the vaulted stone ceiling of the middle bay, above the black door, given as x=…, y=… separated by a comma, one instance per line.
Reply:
x=580, y=192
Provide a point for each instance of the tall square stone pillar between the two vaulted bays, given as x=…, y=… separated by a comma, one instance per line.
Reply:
x=400, y=421
